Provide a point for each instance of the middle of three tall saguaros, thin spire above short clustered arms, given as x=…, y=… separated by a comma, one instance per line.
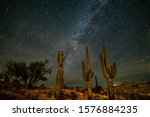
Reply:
x=87, y=74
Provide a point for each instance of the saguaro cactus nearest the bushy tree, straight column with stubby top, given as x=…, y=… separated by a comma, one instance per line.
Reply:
x=59, y=76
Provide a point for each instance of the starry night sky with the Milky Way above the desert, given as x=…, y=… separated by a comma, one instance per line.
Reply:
x=33, y=30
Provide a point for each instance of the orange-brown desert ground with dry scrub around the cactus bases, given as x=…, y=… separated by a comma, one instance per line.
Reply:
x=124, y=91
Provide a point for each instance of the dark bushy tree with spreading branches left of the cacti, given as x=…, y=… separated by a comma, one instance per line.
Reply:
x=29, y=75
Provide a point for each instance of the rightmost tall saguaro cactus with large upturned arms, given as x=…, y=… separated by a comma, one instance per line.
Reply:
x=109, y=72
